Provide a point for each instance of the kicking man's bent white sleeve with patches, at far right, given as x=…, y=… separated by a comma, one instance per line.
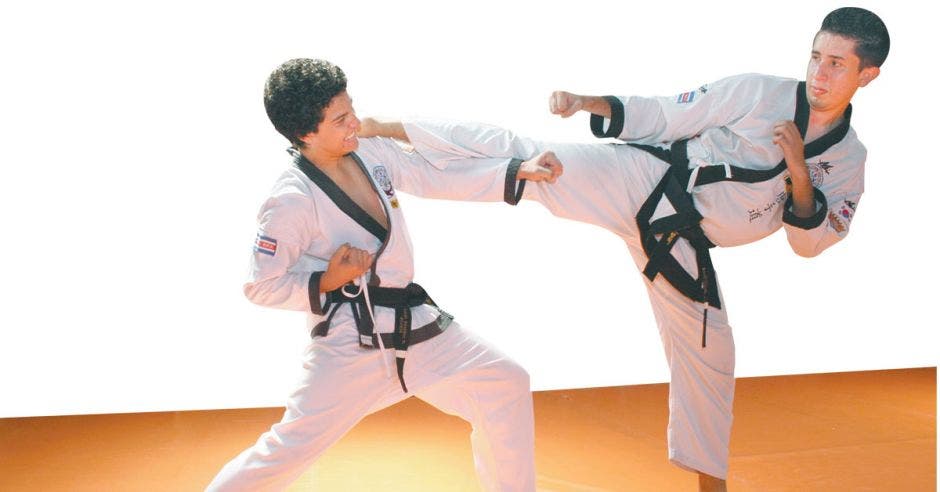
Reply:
x=836, y=202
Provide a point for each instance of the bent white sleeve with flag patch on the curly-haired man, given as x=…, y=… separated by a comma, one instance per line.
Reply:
x=278, y=277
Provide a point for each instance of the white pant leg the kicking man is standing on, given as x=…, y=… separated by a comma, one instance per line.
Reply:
x=701, y=388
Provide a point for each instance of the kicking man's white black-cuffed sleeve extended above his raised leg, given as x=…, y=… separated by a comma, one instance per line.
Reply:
x=652, y=120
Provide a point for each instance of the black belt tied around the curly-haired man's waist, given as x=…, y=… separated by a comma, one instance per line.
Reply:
x=402, y=300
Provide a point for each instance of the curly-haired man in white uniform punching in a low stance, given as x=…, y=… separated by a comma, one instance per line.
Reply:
x=332, y=242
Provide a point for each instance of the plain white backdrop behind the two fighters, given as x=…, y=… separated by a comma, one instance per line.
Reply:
x=136, y=151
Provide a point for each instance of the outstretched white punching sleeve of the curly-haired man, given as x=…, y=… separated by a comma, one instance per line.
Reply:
x=436, y=168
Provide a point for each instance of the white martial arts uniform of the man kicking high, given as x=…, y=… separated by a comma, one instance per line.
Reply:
x=731, y=122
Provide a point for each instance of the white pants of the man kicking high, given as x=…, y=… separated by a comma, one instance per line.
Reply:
x=605, y=185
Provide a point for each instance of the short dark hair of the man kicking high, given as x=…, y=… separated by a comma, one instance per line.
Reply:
x=865, y=28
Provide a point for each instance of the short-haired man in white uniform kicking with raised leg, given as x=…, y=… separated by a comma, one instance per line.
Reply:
x=721, y=165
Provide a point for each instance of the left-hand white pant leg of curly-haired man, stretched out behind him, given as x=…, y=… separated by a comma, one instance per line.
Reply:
x=340, y=385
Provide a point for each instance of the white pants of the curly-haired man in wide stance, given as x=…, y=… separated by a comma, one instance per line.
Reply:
x=342, y=383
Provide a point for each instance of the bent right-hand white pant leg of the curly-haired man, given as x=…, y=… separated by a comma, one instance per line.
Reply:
x=464, y=376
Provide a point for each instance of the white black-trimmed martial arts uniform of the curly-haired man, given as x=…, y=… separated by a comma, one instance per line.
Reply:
x=341, y=382
